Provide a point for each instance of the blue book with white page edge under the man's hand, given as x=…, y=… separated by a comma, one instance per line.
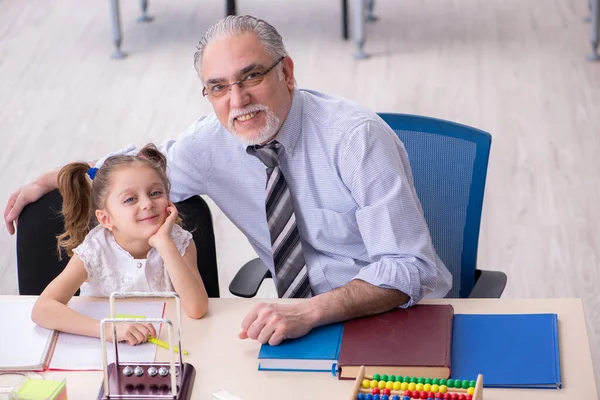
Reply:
x=316, y=352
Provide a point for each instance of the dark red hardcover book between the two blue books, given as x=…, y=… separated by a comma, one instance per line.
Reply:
x=414, y=341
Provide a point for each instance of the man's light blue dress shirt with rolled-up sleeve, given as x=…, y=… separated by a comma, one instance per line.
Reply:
x=351, y=185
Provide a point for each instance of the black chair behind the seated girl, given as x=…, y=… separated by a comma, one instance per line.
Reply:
x=40, y=222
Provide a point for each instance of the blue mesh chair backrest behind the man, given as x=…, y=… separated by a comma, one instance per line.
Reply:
x=449, y=165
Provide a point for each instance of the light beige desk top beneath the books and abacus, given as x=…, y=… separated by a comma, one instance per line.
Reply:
x=224, y=362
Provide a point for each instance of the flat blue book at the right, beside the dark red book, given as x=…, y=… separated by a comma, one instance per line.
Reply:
x=510, y=350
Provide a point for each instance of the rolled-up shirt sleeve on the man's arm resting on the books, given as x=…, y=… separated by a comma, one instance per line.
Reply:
x=376, y=169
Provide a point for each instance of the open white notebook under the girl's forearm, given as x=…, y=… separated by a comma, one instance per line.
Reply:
x=43, y=349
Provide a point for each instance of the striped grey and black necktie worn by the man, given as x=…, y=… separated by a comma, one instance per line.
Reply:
x=291, y=274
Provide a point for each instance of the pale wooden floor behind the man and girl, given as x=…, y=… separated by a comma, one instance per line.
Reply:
x=515, y=68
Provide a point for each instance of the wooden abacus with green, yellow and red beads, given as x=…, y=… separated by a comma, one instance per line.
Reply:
x=392, y=388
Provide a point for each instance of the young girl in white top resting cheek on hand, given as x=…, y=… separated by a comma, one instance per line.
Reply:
x=137, y=244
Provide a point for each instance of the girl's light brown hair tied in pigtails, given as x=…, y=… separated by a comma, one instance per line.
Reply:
x=82, y=196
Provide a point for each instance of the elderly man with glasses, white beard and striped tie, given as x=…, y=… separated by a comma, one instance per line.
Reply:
x=321, y=188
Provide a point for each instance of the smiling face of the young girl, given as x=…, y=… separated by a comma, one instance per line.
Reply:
x=136, y=203
